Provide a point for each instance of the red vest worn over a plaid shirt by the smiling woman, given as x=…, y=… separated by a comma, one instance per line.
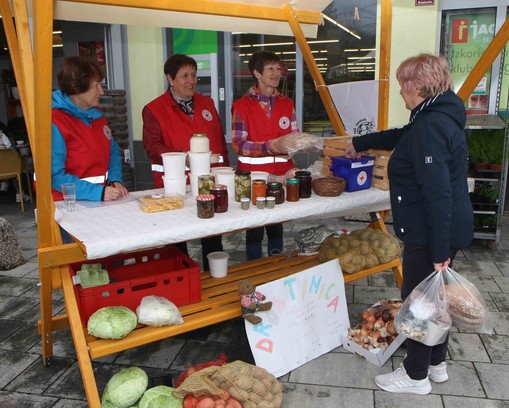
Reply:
x=262, y=128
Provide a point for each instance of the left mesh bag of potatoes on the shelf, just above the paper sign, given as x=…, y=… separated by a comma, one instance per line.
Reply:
x=354, y=255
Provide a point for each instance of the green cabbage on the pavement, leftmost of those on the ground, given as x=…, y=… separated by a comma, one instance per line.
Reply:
x=125, y=388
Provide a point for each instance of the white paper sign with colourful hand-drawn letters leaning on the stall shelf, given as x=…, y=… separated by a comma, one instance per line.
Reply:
x=308, y=317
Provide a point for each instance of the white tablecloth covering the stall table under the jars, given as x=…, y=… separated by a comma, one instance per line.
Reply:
x=110, y=228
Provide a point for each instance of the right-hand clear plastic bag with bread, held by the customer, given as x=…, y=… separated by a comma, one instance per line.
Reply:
x=466, y=305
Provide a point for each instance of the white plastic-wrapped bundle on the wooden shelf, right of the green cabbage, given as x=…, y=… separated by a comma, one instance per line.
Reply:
x=158, y=311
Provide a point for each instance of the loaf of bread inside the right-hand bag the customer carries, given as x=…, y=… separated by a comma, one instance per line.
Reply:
x=467, y=312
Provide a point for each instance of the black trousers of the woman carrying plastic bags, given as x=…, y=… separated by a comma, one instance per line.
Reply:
x=417, y=265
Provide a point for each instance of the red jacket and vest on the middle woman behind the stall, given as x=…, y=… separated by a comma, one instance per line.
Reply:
x=166, y=128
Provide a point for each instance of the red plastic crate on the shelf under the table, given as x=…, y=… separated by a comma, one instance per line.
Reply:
x=165, y=272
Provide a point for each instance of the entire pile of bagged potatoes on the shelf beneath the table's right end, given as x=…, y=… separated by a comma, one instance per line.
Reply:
x=361, y=249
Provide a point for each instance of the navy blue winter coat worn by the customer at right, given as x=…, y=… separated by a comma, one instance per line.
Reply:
x=428, y=175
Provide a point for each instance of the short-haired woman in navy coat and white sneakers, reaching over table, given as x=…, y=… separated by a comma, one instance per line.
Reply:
x=431, y=208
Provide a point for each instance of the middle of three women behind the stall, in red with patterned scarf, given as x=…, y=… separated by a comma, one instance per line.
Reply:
x=170, y=120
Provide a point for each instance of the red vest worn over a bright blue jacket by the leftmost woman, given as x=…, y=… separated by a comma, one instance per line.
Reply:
x=88, y=148
